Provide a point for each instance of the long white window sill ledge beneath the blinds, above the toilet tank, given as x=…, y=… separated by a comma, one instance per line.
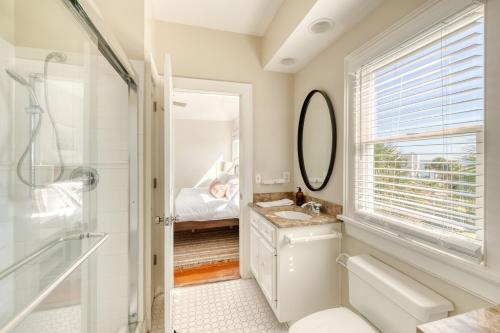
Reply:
x=473, y=278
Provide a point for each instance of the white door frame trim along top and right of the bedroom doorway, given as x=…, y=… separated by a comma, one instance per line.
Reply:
x=244, y=91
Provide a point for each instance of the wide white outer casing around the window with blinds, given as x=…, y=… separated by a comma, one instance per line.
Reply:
x=478, y=278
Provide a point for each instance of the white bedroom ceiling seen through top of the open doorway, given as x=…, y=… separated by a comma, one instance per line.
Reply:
x=205, y=106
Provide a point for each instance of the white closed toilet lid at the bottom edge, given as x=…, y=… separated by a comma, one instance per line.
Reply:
x=336, y=320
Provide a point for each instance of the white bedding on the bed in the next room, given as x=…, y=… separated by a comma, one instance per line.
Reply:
x=197, y=204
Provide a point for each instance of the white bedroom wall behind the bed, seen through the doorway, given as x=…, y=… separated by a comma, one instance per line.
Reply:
x=198, y=146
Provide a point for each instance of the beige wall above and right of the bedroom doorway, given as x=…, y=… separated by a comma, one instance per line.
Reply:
x=216, y=55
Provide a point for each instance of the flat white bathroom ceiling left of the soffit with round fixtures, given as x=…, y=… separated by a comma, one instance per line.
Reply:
x=251, y=17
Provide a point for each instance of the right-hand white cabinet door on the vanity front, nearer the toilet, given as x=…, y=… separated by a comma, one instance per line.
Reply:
x=267, y=273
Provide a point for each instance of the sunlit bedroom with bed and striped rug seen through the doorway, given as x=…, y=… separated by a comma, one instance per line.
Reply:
x=206, y=186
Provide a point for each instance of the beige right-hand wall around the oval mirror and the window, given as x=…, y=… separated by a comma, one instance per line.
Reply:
x=326, y=73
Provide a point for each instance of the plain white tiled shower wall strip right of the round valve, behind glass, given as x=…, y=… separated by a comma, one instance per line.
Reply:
x=111, y=127
